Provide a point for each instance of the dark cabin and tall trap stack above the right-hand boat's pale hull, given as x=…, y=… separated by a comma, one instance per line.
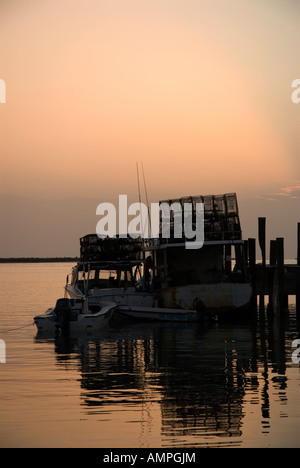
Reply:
x=221, y=259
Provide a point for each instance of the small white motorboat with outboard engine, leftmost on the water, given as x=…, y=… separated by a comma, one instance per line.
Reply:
x=75, y=315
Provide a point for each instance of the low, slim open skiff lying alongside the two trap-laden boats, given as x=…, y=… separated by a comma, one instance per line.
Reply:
x=159, y=314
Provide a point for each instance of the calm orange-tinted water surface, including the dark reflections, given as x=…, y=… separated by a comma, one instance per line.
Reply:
x=142, y=385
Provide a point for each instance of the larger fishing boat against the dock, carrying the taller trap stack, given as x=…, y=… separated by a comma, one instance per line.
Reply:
x=214, y=274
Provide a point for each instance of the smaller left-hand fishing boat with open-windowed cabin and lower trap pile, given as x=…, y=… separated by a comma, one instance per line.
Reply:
x=110, y=269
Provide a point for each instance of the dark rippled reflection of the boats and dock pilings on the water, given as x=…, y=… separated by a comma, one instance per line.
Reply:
x=200, y=378
